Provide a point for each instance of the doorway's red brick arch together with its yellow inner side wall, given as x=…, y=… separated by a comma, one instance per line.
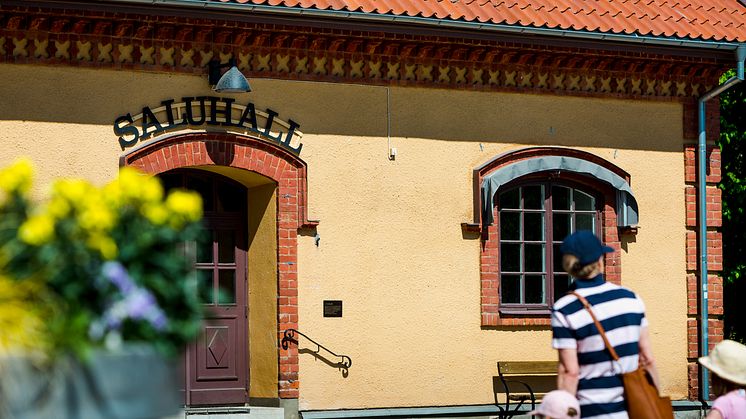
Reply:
x=246, y=159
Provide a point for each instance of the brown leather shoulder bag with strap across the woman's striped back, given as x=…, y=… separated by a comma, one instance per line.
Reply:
x=640, y=394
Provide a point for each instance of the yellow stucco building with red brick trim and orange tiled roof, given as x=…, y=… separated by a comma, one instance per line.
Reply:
x=395, y=186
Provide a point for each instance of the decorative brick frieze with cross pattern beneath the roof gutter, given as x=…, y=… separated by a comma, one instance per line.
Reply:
x=185, y=45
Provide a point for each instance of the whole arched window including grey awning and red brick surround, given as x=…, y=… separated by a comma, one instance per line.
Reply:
x=525, y=203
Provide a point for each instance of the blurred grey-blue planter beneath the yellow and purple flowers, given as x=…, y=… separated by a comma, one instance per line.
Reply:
x=134, y=382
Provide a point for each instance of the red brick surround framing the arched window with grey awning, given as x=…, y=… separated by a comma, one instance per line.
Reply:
x=489, y=250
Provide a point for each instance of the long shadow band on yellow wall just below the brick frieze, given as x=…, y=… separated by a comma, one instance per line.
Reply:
x=91, y=97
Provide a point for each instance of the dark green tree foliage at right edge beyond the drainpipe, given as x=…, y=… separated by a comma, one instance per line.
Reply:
x=732, y=143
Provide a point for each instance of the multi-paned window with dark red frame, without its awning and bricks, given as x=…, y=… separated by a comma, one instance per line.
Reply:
x=533, y=219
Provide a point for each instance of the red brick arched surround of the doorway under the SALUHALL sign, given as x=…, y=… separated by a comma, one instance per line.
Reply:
x=288, y=172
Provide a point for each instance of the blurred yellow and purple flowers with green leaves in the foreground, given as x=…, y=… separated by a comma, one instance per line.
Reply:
x=110, y=261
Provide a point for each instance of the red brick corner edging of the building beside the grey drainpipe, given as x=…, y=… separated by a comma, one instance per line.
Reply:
x=713, y=208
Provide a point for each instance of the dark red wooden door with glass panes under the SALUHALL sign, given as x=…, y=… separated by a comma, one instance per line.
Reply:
x=216, y=364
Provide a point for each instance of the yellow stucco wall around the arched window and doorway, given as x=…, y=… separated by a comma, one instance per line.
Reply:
x=391, y=245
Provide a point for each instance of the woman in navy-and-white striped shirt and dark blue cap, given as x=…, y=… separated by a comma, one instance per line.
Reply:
x=586, y=368
